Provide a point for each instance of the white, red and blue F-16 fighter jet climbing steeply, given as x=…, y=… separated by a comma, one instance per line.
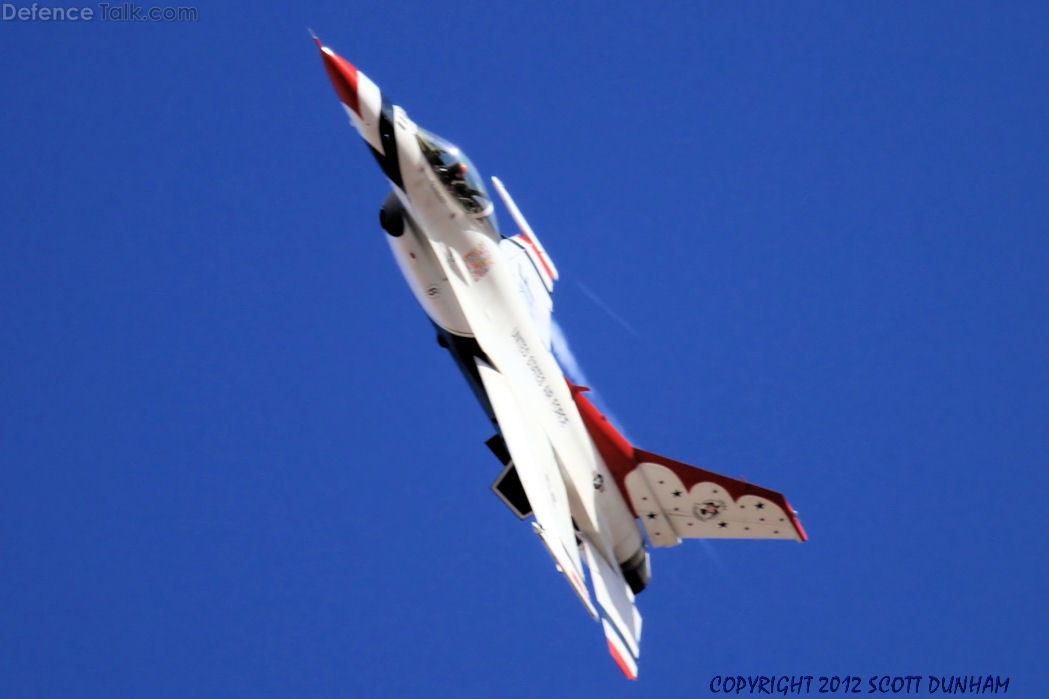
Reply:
x=594, y=498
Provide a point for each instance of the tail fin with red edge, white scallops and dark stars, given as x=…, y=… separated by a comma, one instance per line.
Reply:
x=676, y=501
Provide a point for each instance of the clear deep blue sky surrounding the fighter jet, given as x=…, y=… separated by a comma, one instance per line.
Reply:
x=237, y=463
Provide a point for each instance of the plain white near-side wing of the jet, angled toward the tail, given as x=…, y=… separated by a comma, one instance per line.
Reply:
x=541, y=478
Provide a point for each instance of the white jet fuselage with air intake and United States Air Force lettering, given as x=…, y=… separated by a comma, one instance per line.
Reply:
x=459, y=271
